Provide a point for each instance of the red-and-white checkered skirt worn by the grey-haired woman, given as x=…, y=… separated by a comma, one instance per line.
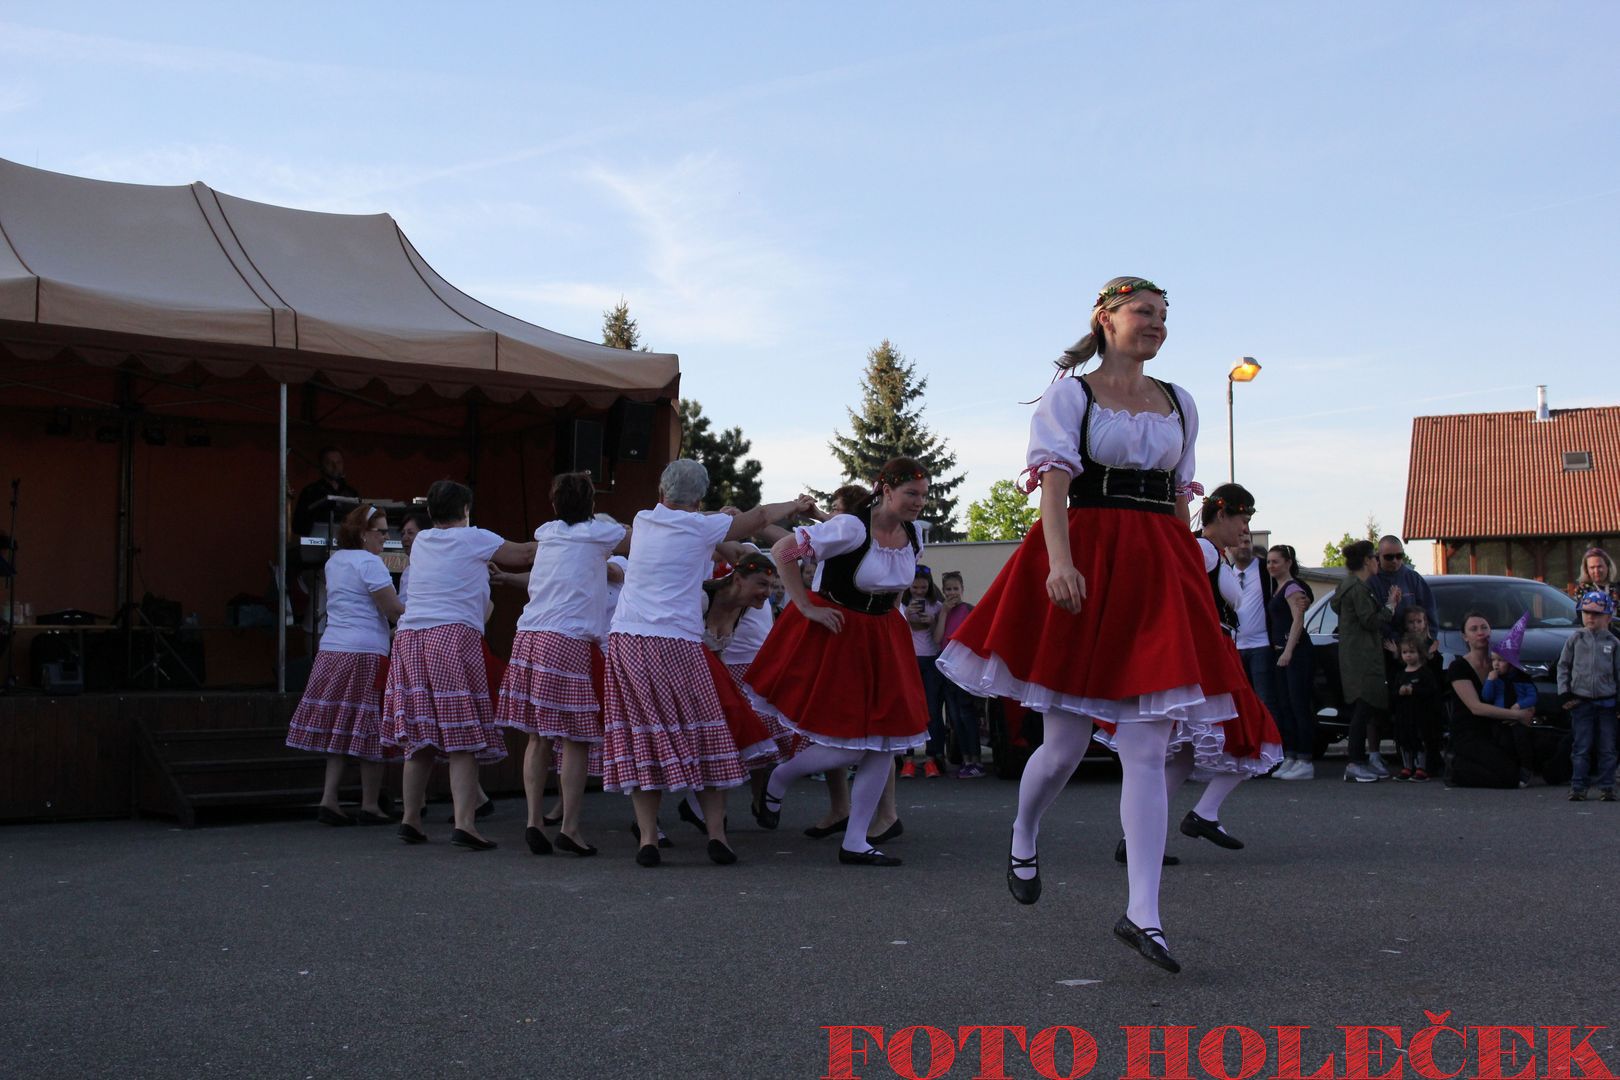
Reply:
x=663, y=723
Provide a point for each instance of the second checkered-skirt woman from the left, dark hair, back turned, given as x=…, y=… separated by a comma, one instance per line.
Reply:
x=438, y=702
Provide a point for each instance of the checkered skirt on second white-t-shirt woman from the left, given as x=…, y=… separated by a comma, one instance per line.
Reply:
x=438, y=695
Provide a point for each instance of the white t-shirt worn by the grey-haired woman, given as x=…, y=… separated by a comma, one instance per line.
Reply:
x=671, y=555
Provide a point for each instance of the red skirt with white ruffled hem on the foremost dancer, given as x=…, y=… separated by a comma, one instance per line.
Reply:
x=1146, y=644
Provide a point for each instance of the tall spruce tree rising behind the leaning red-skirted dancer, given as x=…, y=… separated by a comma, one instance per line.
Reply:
x=890, y=425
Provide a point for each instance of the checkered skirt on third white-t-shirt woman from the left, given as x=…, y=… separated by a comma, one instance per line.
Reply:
x=553, y=687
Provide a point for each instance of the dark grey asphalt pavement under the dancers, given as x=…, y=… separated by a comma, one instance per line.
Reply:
x=279, y=948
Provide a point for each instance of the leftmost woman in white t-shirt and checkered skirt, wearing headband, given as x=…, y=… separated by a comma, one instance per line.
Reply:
x=338, y=713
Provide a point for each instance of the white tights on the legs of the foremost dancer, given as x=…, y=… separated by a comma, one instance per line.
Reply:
x=1145, y=804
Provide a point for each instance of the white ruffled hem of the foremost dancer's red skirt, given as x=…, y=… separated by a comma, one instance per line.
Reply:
x=989, y=678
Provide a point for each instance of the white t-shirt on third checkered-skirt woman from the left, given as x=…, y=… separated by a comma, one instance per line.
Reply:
x=568, y=589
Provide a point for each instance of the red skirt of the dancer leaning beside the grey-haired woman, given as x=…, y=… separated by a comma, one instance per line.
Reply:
x=858, y=689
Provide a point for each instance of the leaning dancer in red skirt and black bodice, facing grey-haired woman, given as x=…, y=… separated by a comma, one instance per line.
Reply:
x=840, y=666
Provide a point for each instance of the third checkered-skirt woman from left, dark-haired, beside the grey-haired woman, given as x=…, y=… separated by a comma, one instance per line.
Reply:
x=552, y=687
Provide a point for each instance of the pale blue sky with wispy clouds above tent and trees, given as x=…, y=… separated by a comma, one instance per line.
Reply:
x=1399, y=210
